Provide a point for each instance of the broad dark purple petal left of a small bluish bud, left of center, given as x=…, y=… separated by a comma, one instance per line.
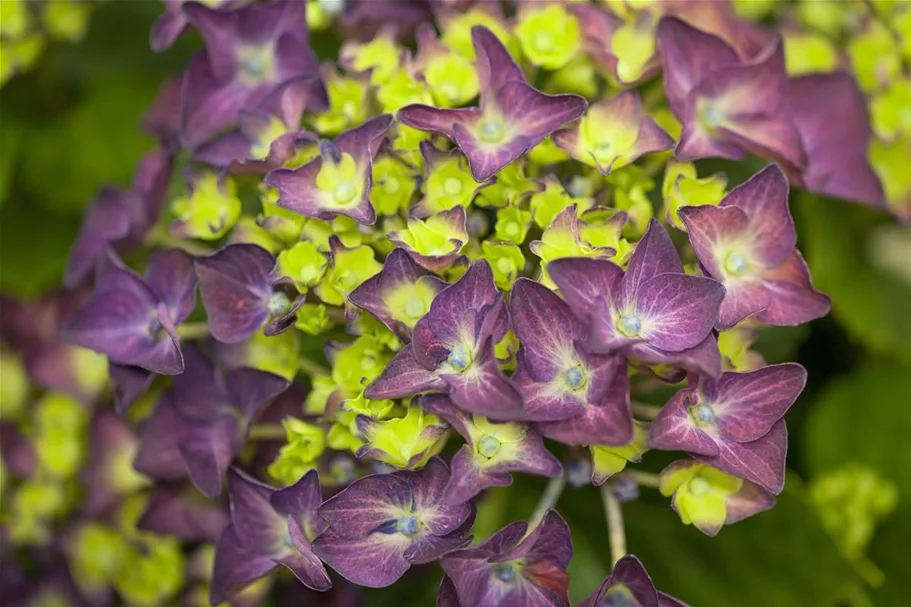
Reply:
x=235, y=288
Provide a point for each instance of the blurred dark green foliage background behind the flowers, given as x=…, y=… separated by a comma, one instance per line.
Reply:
x=69, y=126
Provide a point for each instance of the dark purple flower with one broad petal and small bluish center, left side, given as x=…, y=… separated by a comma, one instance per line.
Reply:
x=241, y=294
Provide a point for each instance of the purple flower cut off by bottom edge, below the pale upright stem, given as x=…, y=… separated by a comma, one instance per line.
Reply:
x=629, y=584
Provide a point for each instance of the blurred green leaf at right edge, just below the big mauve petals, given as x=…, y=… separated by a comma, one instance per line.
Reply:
x=869, y=302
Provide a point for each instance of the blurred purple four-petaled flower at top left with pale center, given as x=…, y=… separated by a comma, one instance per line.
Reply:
x=250, y=52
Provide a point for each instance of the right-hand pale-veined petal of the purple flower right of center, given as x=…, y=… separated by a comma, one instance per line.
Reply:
x=678, y=311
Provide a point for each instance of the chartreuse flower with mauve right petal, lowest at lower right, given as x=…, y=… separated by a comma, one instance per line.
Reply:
x=708, y=498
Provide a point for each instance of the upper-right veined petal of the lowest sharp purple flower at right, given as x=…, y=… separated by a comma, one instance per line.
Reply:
x=748, y=404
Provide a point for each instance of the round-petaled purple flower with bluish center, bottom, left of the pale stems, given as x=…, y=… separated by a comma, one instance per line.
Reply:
x=382, y=524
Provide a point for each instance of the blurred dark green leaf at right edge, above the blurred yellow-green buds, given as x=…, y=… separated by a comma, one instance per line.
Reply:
x=863, y=418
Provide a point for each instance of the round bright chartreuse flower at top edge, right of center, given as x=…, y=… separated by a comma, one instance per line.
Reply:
x=549, y=34
